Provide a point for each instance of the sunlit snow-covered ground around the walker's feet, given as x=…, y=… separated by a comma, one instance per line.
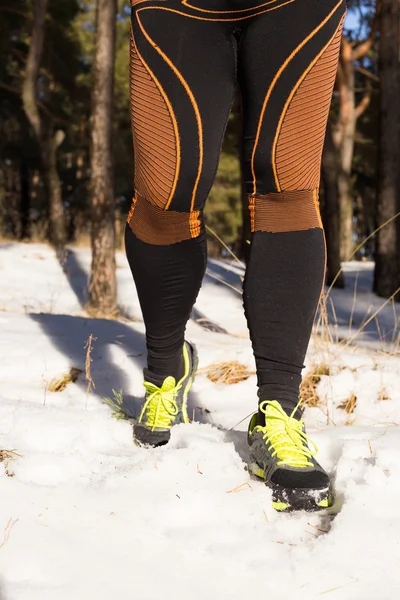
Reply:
x=85, y=514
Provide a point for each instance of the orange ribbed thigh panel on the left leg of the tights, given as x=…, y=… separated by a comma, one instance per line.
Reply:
x=153, y=135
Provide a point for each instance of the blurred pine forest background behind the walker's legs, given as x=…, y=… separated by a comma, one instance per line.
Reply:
x=66, y=157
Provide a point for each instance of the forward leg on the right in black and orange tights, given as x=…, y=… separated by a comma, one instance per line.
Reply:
x=287, y=67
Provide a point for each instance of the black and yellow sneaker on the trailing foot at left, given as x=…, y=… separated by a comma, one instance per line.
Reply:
x=166, y=406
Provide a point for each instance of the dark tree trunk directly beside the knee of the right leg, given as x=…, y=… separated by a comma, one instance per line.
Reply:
x=330, y=209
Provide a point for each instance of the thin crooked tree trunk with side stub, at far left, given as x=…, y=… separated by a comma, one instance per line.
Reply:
x=48, y=146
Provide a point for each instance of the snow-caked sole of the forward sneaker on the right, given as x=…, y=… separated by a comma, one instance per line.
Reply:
x=298, y=499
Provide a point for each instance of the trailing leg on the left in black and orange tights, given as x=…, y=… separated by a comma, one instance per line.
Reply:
x=183, y=73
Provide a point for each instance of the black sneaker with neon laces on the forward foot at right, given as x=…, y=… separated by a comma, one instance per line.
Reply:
x=280, y=455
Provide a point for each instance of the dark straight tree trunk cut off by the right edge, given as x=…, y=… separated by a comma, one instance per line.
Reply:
x=387, y=269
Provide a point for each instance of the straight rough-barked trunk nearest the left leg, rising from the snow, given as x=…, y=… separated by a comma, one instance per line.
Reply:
x=103, y=287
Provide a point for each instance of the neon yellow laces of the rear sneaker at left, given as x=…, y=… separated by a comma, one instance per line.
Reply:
x=160, y=407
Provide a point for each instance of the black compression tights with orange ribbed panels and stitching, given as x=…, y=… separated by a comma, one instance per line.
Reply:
x=186, y=57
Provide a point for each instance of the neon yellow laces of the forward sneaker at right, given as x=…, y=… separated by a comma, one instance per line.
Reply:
x=285, y=436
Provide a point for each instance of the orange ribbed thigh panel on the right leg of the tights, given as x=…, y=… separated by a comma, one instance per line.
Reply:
x=301, y=139
